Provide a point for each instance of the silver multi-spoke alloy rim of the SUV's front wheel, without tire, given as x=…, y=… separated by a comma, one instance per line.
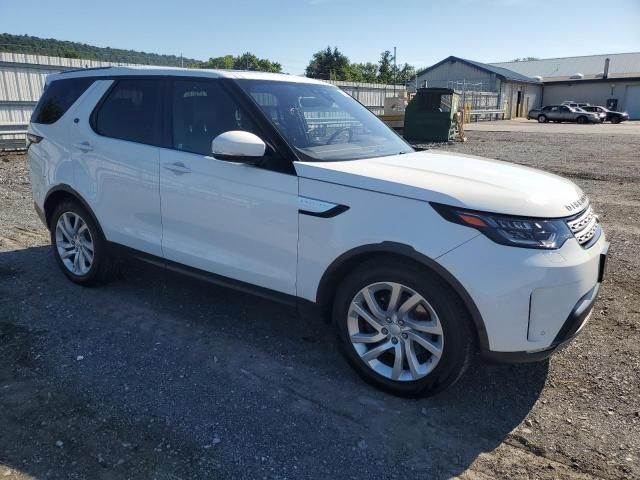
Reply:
x=395, y=331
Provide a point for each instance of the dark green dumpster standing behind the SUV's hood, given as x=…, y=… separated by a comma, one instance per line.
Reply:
x=431, y=115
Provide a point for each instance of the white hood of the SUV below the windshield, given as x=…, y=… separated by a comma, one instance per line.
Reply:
x=456, y=179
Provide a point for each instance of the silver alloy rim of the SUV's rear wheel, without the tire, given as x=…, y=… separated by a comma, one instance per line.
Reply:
x=74, y=243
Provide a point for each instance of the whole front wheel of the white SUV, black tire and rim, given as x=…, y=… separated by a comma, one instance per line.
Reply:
x=439, y=309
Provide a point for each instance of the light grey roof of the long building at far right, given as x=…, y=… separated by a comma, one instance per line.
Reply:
x=591, y=66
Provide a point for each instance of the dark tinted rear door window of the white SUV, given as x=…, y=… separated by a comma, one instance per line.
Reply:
x=131, y=111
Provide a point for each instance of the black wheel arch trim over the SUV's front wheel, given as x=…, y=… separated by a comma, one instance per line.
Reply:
x=344, y=263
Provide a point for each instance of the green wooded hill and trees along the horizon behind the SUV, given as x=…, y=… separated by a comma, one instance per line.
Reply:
x=326, y=64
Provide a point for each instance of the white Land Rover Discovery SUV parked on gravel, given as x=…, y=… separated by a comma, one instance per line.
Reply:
x=288, y=187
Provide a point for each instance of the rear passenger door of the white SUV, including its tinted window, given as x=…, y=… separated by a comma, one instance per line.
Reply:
x=114, y=147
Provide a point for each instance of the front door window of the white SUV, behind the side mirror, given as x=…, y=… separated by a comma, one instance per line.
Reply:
x=202, y=110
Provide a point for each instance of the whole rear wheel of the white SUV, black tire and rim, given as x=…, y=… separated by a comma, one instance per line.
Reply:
x=74, y=230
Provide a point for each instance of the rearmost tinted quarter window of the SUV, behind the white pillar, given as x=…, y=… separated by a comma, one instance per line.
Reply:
x=58, y=96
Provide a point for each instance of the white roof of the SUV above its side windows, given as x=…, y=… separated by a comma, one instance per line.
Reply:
x=180, y=72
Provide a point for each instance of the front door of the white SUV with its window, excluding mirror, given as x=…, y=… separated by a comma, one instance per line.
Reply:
x=231, y=219
